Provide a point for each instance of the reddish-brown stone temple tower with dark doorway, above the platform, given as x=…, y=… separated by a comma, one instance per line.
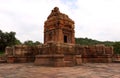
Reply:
x=58, y=28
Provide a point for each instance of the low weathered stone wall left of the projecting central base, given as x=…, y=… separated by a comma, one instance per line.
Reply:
x=22, y=53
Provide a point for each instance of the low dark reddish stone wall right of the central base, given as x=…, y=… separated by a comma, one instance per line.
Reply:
x=97, y=54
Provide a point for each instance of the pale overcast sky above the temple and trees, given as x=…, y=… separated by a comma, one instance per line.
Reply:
x=96, y=19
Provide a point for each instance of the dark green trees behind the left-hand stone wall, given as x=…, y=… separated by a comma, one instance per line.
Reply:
x=9, y=39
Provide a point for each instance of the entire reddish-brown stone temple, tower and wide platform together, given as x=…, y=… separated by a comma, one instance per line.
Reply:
x=59, y=48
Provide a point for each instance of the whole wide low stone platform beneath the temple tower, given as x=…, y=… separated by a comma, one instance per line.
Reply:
x=60, y=54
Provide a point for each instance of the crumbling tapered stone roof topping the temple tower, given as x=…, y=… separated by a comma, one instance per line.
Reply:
x=58, y=19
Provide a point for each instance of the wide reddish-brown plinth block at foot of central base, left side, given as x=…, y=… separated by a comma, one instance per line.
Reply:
x=49, y=60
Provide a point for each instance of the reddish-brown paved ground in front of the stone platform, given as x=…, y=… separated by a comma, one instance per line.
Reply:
x=88, y=70
